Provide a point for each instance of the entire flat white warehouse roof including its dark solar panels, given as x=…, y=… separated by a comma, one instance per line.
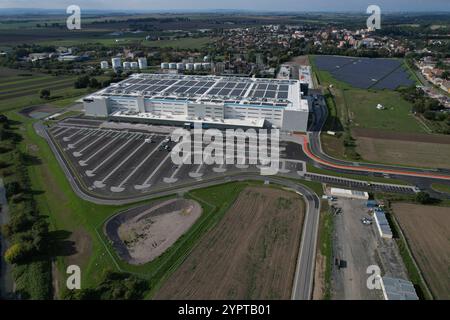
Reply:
x=211, y=89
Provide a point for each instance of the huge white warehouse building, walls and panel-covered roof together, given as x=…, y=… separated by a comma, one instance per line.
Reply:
x=208, y=100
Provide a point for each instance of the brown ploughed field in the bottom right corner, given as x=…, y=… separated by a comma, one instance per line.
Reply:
x=427, y=230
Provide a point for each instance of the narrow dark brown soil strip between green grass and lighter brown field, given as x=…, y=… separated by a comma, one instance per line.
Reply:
x=390, y=135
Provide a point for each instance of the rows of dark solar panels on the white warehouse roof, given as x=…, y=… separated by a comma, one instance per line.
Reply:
x=232, y=89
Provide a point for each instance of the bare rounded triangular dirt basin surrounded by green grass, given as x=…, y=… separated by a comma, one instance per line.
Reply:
x=141, y=235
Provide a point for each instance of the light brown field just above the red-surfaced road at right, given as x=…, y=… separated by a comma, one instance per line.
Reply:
x=412, y=153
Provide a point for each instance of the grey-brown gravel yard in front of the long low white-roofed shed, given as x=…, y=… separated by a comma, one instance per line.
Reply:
x=357, y=244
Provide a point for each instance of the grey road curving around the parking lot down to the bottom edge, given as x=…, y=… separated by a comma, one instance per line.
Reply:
x=304, y=274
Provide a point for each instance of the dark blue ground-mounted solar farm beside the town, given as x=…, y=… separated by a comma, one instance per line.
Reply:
x=365, y=73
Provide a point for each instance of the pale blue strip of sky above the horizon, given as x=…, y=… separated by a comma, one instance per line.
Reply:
x=284, y=5
